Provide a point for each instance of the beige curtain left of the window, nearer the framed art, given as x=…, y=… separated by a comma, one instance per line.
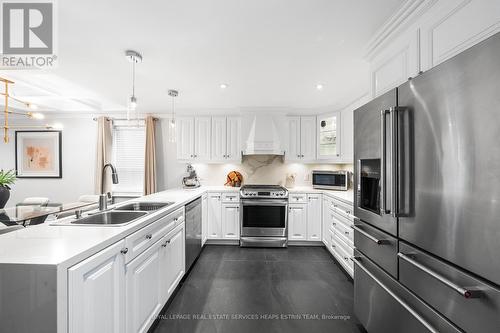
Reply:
x=104, y=151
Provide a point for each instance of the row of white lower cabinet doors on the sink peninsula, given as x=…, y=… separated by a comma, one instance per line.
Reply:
x=107, y=295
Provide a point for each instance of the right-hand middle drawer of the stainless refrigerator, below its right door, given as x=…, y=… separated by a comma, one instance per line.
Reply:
x=467, y=301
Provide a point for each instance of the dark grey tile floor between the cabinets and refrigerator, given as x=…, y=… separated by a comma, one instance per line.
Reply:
x=233, y=289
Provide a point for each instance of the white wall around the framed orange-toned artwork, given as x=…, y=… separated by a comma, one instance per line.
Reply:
x=78, y=159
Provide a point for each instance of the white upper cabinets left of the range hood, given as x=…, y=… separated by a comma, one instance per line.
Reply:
x=209, y=139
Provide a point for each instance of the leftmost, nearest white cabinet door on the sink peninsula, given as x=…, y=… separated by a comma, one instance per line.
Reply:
x=96, y=299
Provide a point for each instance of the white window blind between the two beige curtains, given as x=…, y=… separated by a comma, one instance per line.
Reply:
x=128, y=158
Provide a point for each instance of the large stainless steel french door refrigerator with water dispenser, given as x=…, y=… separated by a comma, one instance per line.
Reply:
x=427, y=202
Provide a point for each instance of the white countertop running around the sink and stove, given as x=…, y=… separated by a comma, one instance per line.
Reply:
x=66, y=245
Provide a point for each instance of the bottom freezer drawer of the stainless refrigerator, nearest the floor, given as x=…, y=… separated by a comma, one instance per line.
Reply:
x=383, y=305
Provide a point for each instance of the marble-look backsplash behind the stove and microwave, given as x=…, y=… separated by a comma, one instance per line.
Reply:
x=263, y=169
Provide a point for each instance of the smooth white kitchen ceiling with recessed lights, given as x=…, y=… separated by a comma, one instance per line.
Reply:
x=270, y=53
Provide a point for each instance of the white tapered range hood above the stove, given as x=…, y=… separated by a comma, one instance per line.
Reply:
x=263, y=137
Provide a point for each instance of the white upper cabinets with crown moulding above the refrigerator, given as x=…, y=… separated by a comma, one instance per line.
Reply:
x=429, y=33
